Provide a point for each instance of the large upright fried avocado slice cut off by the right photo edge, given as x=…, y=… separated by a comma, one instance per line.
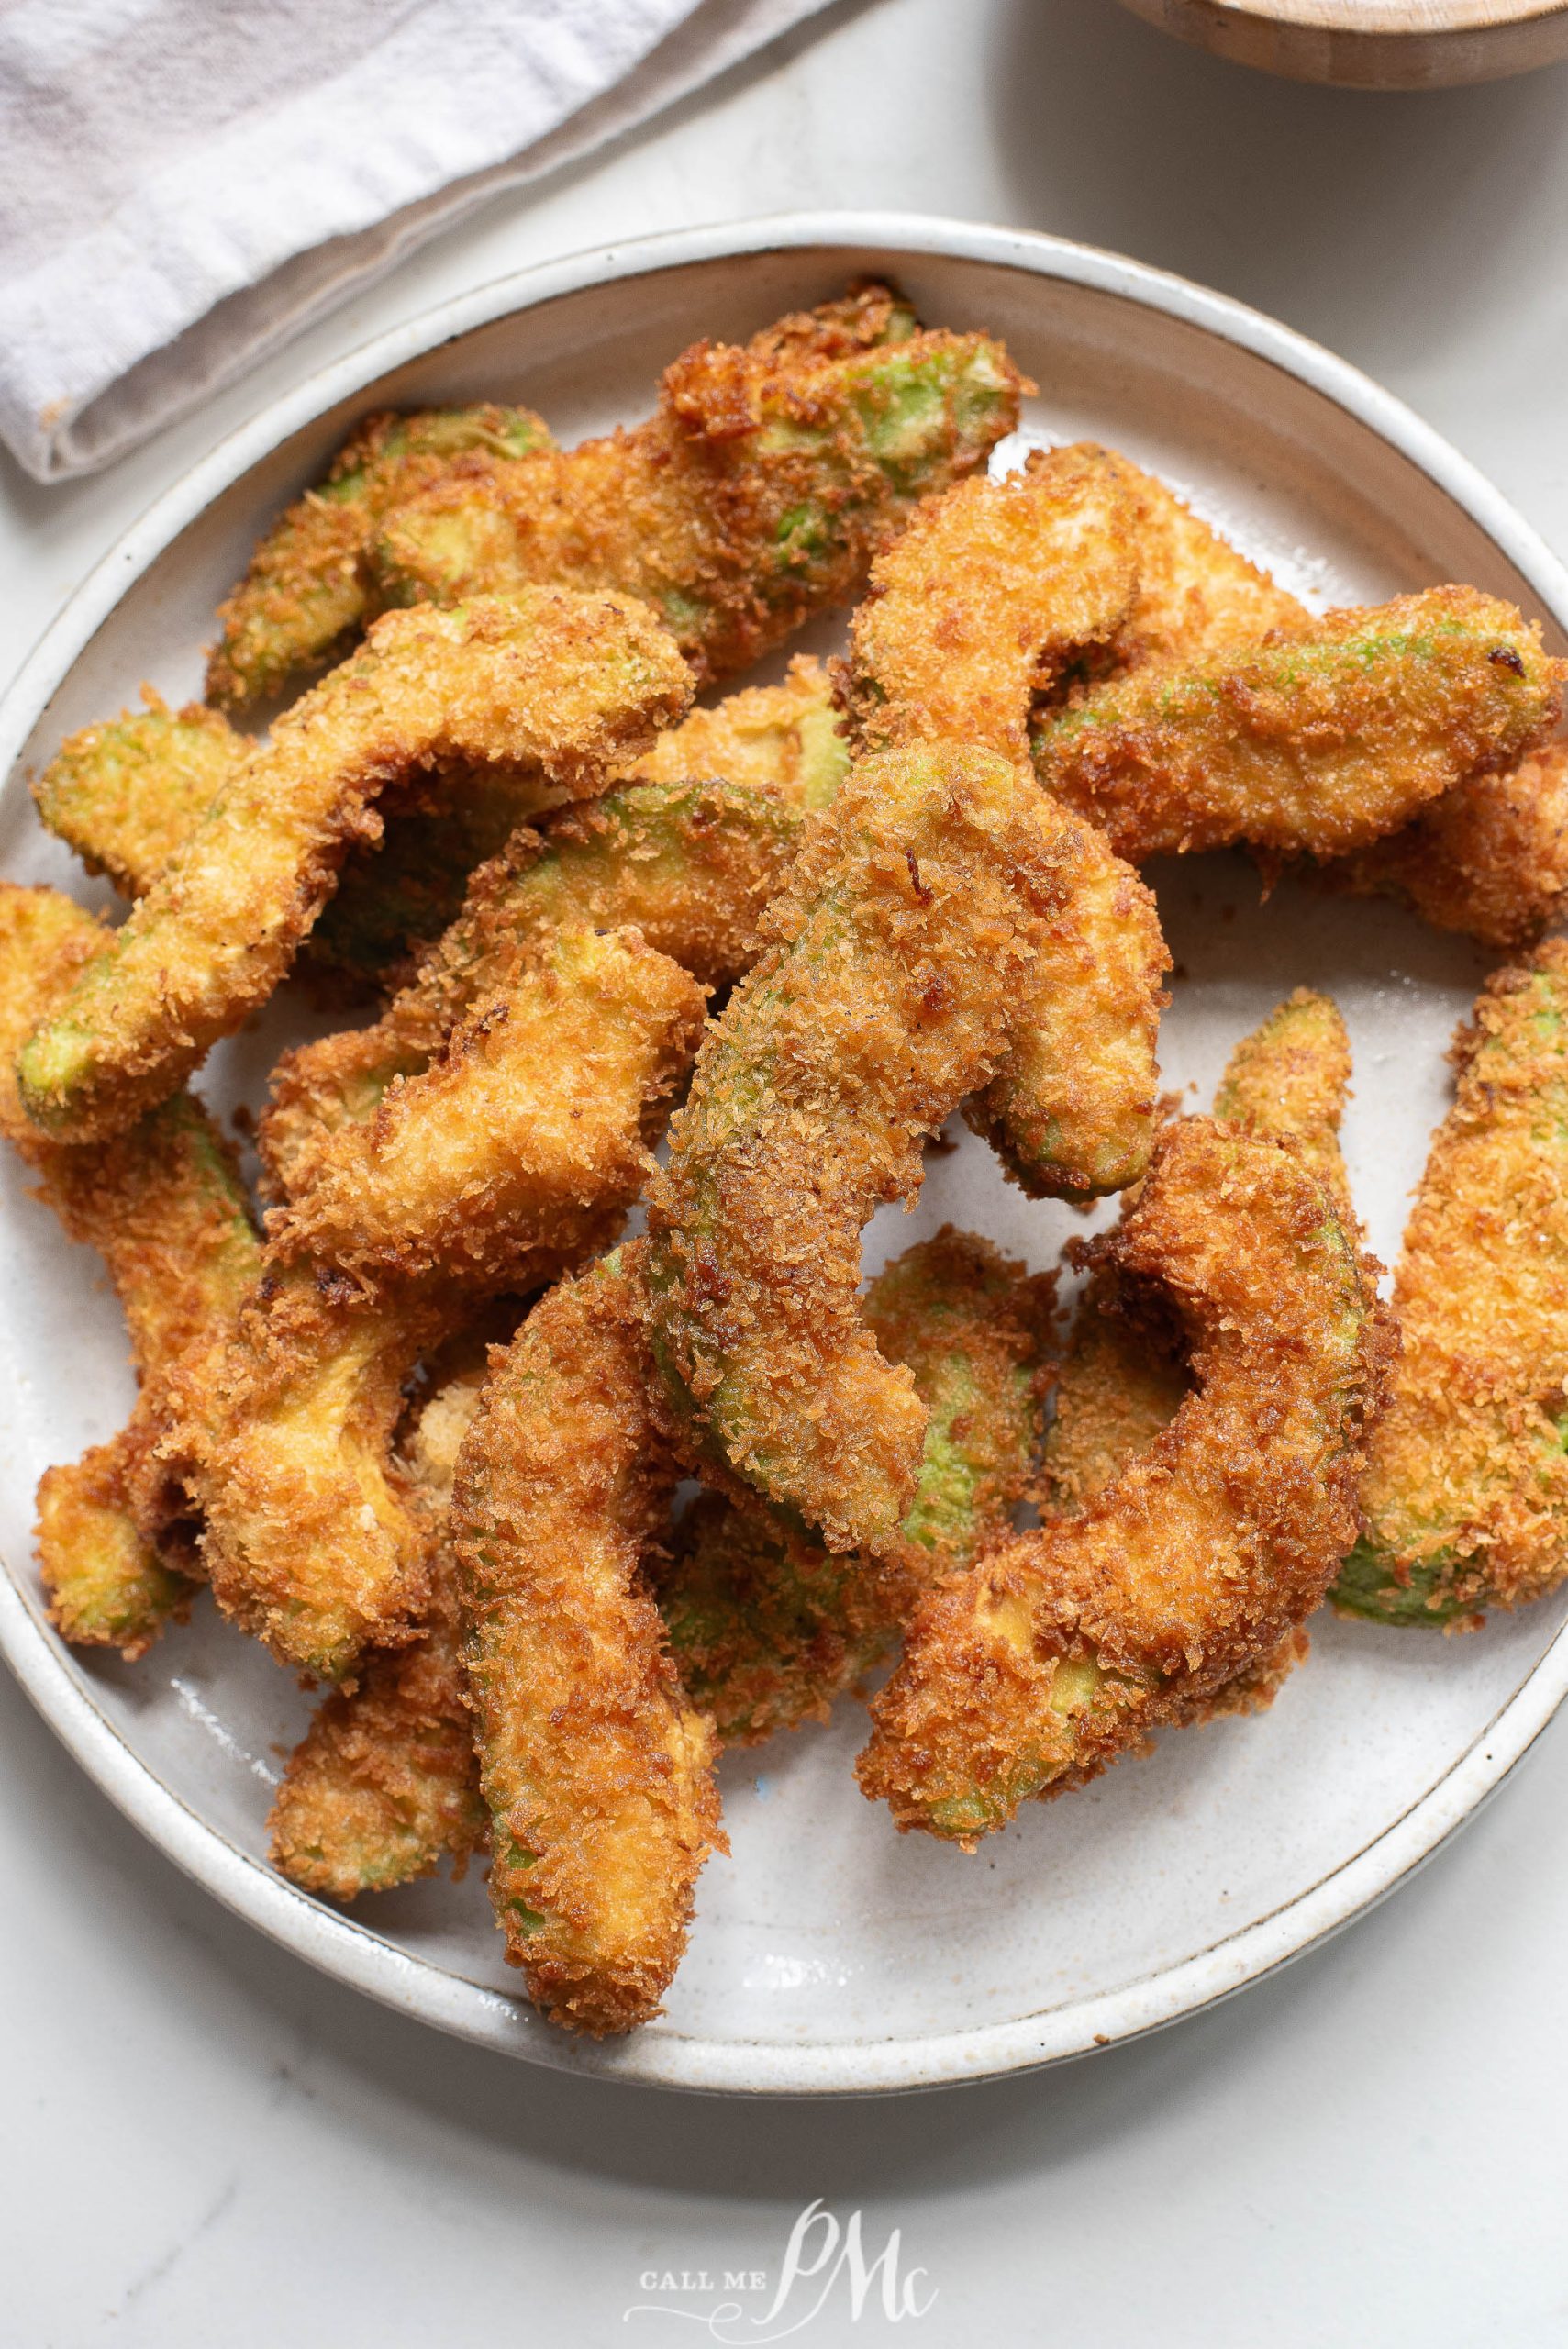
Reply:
x=1466, y=1493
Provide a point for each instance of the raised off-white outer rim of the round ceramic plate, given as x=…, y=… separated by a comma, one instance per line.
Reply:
x=344, y=1946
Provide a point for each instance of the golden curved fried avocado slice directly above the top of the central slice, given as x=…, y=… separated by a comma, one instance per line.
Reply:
x=989, y=593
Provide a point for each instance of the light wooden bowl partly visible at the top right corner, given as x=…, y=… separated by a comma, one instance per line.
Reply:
x=1372, y=43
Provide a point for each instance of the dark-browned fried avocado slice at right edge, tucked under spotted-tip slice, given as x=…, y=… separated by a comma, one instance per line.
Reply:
x=1487, y=859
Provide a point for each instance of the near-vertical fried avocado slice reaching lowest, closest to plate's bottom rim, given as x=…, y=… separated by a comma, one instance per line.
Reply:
x=597, y=1770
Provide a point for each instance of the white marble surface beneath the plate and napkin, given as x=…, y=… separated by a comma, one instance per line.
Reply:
x=208, y=2143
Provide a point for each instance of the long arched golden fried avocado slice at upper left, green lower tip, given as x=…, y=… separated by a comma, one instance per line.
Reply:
x=560, y=685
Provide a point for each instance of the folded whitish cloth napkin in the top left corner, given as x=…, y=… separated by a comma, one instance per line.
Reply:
x=189, y=182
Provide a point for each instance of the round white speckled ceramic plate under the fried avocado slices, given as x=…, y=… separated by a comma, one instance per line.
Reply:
x=832, y=1956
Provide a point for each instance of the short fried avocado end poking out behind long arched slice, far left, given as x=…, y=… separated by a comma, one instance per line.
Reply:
x=130, y=795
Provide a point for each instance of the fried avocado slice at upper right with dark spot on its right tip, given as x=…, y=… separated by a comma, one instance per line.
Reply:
x=1313, y=746
